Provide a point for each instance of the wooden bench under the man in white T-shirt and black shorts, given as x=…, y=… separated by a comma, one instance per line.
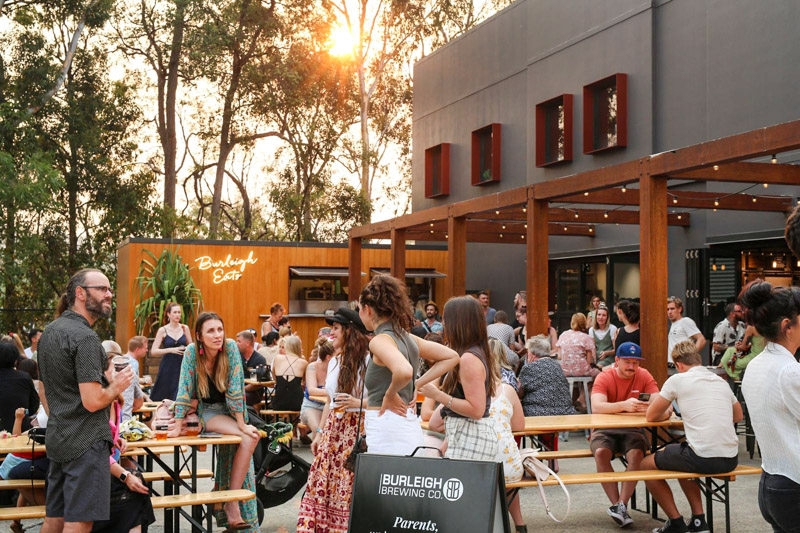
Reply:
x=714, y=487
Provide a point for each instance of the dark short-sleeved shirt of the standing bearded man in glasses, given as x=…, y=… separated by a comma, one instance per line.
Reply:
x=70, y=353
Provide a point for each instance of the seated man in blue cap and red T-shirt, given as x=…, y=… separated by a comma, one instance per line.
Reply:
x=617, y=390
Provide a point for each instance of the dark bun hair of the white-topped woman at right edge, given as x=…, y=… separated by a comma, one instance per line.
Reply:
x=766, y=306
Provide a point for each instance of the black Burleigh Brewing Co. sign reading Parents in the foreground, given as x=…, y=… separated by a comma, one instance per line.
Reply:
x=410, y=494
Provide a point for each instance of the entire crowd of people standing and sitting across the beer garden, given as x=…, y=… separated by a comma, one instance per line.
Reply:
x=479, y=374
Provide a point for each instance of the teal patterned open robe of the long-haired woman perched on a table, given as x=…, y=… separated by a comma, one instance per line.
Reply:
x=234, y=400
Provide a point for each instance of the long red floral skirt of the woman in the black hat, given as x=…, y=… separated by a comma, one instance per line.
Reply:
x=325, y=507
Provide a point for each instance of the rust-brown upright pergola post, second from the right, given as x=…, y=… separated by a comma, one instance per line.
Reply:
x=538, y=264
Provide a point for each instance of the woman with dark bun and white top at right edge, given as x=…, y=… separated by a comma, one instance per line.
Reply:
x=771, y=387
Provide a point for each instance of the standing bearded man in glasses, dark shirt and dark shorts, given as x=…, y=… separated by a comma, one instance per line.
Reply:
x=72, y=363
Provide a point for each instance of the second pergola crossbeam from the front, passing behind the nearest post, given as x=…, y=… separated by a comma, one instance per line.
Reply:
x=696, y=199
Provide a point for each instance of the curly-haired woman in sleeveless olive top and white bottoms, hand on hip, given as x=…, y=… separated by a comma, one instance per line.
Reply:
x=391, y=418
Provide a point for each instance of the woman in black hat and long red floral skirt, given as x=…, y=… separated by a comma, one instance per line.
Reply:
x=325, y=507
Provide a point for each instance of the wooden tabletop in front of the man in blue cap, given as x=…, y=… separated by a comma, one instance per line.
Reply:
x=538, y=425
